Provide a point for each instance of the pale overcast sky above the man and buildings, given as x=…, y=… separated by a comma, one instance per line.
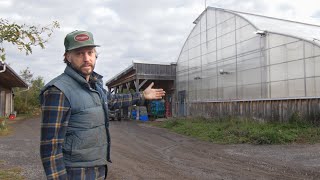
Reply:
x=127, y=30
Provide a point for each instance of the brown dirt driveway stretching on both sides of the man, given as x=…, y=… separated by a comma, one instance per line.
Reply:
x=143, y=152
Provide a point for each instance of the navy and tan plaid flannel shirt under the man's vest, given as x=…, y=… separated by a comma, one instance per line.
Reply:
x=56, y=111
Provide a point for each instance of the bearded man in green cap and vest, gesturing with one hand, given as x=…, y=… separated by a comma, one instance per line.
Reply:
x=75, y=139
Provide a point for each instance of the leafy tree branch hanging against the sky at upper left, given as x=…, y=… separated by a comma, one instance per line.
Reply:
x=24, y=36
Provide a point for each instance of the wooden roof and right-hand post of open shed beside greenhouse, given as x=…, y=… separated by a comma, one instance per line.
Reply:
x=139, y=75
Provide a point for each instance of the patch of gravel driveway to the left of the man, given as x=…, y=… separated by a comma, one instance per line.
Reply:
x=21, y=149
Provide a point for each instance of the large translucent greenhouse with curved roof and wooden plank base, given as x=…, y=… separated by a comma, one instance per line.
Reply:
x=245, y=64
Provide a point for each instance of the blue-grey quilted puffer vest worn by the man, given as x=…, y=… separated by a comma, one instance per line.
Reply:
x=87, y=140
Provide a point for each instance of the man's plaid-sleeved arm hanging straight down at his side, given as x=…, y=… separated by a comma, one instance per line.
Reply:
x=55, y=115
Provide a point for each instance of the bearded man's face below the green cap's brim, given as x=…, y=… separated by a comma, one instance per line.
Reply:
x=83, y=60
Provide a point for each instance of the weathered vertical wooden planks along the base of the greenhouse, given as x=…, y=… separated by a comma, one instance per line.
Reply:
x=281, y=110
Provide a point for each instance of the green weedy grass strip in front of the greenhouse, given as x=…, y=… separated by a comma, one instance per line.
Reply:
x=236, y=130
